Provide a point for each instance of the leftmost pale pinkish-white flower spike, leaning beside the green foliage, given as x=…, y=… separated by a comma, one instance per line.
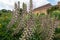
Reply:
x=14, y=18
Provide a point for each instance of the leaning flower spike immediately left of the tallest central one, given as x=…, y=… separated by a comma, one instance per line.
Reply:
x=21, y=20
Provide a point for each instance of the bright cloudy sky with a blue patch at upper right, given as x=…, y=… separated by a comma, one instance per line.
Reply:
x=9, y=4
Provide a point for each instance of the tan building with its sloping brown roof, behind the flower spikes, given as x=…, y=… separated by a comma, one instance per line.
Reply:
x=42, y=9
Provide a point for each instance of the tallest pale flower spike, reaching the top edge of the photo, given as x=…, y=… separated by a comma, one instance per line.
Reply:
x=28, y=30
